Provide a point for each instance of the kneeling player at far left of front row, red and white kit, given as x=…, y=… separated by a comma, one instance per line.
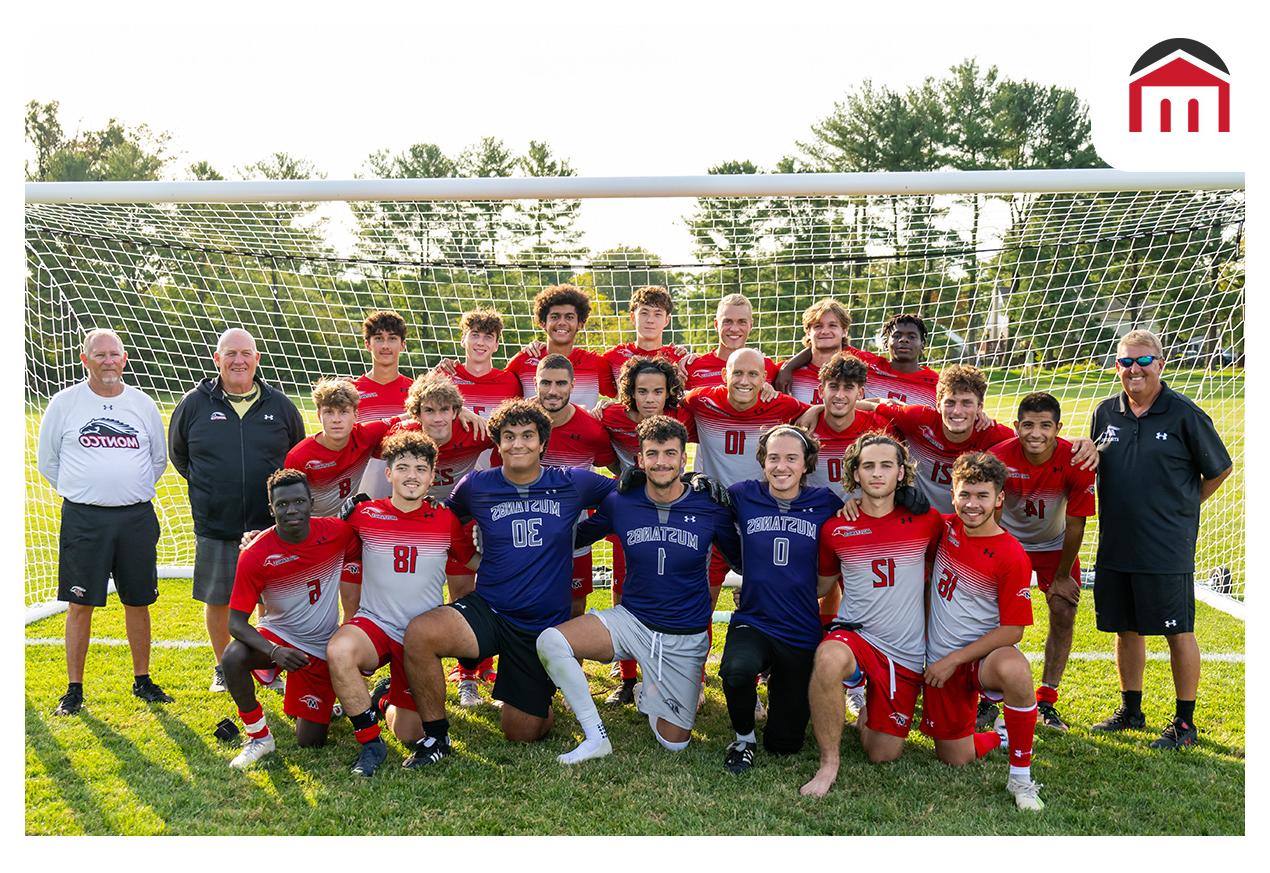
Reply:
x=295, y=569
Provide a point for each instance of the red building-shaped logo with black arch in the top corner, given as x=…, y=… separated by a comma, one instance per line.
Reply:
x=1180, y=86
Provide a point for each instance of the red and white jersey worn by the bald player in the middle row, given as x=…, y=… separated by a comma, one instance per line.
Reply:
x=727, y=439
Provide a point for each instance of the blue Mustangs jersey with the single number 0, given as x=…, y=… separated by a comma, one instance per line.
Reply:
x=780, y=546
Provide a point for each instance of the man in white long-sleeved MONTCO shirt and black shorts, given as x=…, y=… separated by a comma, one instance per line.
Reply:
x=102, y=447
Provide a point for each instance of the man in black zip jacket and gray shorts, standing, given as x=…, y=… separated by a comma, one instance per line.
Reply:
x=225, y=438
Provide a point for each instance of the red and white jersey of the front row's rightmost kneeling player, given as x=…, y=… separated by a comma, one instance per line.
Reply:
x=979, y=584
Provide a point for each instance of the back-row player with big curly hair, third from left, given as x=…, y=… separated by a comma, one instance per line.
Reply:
x=562, y=311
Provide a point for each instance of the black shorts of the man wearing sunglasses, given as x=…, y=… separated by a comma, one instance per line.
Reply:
x=1149, y=604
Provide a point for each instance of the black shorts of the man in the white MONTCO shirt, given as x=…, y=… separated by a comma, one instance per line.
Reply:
x=98, y=542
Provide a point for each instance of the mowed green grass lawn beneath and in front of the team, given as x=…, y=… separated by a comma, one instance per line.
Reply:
x=128, y=768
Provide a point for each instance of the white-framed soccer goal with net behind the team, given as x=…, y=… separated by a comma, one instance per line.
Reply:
x=1031, y=275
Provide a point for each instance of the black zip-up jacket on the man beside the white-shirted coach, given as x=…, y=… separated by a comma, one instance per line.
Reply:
x=227, y=461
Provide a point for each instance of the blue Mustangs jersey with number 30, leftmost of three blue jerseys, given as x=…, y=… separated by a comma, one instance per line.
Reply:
x=526, y=570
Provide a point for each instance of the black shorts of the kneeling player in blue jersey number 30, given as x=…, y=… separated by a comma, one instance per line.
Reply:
x=523, y=682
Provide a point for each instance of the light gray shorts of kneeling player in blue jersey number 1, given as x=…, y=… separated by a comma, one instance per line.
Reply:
x=671, y=665
